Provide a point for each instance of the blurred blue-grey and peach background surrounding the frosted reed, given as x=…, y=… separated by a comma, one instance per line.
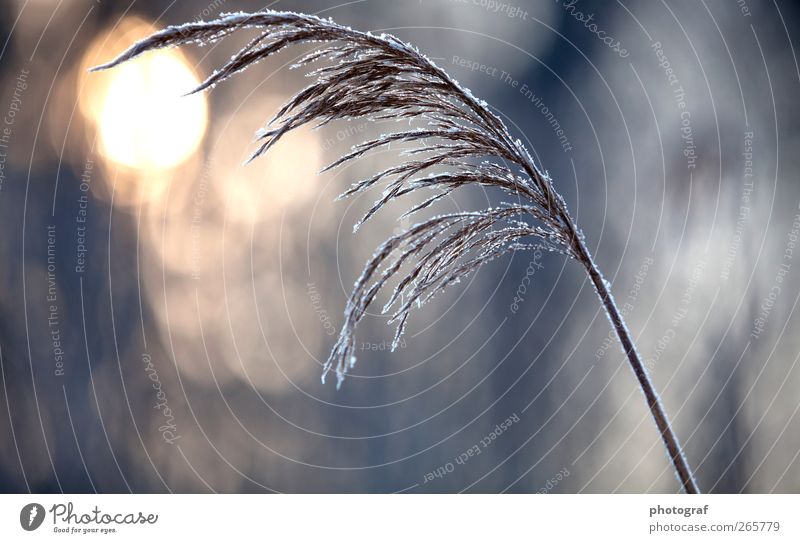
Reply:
x=165, y=309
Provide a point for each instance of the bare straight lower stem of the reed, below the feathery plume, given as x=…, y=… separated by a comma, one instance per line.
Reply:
x=674, y=450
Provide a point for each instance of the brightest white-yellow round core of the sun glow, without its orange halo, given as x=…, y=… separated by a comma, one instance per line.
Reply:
x=144, y=121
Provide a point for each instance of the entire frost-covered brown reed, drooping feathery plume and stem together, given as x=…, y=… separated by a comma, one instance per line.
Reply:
x=361, y=75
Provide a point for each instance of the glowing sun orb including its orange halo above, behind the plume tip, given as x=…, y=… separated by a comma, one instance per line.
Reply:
x=142, y=119
